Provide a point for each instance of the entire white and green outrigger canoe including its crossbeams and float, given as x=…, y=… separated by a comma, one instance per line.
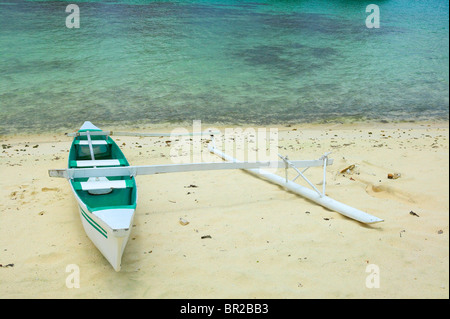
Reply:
x=104, y=185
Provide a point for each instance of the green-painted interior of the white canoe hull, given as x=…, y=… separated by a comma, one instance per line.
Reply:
x=118, y=198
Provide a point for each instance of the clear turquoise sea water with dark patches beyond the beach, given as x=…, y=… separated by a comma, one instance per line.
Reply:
x=231, y=62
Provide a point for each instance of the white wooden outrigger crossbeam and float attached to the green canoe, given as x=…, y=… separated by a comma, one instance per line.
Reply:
x=231, y=163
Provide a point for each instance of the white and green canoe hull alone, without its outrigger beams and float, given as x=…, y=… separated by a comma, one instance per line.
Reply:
x=106, y=203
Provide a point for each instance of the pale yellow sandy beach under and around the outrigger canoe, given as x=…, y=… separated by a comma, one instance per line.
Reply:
x=245, y=237
